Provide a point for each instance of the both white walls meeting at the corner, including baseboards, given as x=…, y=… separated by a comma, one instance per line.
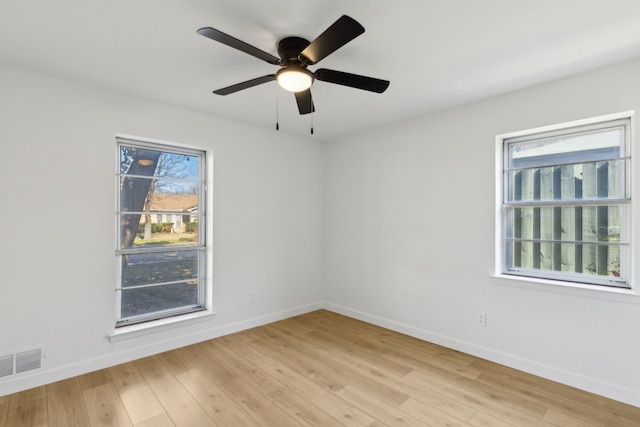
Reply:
x=403, y=248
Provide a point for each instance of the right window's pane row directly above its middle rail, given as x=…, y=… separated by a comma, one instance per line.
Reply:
x=594, y=180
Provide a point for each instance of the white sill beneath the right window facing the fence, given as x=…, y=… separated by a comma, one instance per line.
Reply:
x=607, y=293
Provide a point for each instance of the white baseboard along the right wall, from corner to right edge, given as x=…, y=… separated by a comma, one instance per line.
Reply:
x=592, y=385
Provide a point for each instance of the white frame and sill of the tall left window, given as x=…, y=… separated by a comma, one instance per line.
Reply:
x=135, y=329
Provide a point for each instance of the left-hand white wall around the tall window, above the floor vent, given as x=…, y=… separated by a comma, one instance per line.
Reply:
x=57, y=241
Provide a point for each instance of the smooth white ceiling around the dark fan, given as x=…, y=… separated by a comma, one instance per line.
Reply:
x=436, y=53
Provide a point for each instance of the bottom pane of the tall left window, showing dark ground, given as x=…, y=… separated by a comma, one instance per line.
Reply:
x=135, y=302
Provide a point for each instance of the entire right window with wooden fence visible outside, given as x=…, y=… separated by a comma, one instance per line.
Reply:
x=565, y=202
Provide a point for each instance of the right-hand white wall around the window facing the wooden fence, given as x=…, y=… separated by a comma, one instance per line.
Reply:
x=410, y=239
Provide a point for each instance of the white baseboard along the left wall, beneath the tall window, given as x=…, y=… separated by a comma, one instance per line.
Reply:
x=44, y=376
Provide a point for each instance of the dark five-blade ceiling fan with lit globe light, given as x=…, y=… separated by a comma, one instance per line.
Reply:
x=296, y=54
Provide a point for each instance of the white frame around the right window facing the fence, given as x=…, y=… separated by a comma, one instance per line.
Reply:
x=559, y=281
